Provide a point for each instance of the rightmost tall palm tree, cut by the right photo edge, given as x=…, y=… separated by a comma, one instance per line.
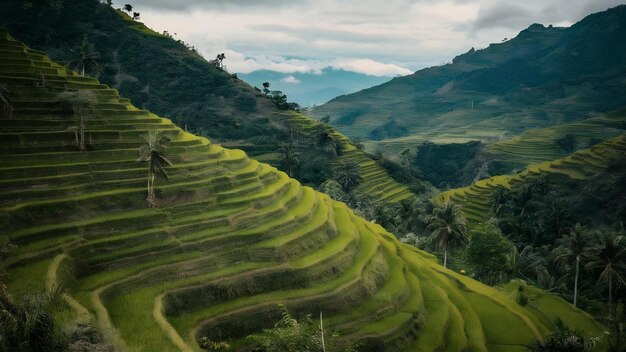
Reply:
x=610, y=256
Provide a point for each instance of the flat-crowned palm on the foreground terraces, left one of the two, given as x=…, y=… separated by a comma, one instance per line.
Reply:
x=81, y=103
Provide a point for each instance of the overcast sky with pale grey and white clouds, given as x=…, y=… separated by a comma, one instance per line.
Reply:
x=375, y=37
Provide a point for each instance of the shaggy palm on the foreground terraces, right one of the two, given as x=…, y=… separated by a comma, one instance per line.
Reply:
x=154, y=153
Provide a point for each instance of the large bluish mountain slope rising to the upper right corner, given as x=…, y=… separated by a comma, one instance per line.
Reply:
x=544, y=76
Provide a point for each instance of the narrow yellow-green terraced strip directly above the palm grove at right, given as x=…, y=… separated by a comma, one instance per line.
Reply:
x=580, y=165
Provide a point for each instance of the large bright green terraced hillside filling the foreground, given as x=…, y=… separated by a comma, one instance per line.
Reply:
x=230, y=239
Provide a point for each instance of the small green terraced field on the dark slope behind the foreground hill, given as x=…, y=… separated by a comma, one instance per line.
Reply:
x=376, y=183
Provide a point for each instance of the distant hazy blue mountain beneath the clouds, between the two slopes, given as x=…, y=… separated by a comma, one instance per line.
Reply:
x=308, y=89
